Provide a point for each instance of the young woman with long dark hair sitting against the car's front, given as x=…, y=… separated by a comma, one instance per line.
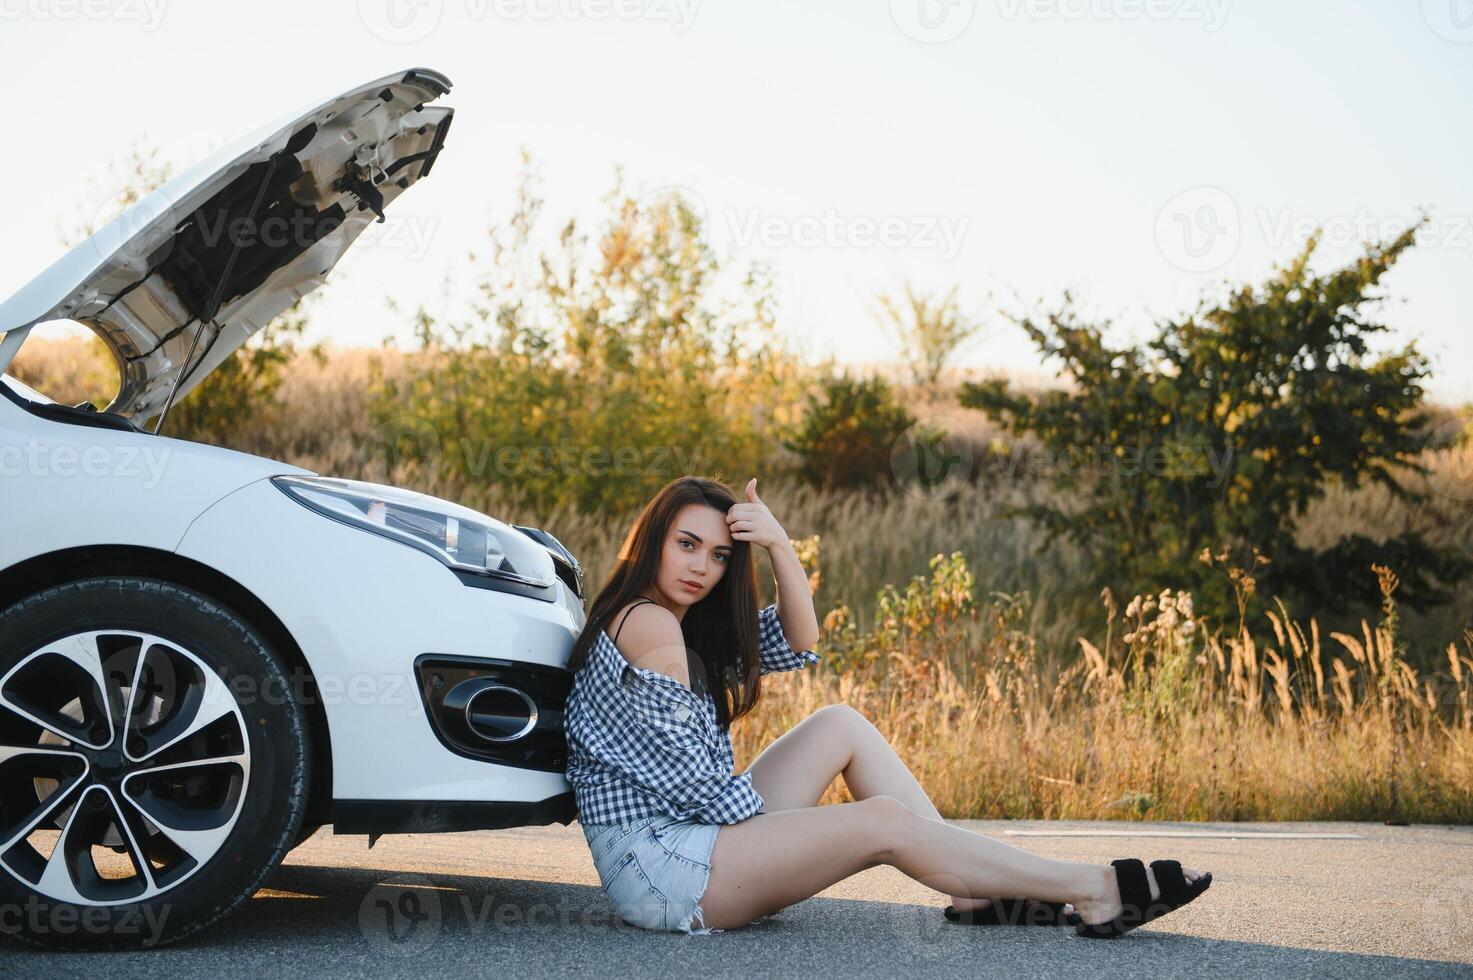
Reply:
x=672, y=654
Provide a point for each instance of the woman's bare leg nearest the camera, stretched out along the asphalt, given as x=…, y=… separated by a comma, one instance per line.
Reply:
x=774, y=860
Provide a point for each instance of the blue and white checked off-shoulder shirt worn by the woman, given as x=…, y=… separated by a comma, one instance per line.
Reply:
x=644, y=745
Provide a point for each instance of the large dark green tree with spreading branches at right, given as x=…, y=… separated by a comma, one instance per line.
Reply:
x=1226, y=427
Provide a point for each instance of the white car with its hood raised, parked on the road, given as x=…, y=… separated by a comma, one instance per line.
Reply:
x=205, y=655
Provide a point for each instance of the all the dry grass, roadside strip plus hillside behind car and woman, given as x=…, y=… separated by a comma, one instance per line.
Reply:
x=1007, y=686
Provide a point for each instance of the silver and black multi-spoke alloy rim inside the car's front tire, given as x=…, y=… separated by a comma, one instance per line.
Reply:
x=124, y=766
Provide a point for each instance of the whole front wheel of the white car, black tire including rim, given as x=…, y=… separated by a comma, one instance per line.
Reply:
x=141, y=721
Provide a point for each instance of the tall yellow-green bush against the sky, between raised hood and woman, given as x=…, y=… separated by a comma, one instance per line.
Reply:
x=593, y=369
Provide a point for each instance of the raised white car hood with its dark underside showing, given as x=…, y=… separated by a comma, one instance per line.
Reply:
x=217, y=253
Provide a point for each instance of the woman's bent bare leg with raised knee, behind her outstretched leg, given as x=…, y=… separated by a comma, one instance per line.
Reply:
x=796, y=770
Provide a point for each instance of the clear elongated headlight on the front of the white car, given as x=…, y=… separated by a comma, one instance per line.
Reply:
x=462, y=539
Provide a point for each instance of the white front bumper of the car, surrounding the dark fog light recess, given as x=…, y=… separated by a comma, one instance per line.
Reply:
x=365, y=611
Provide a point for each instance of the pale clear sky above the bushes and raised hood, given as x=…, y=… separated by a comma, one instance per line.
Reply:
x=1136, y=153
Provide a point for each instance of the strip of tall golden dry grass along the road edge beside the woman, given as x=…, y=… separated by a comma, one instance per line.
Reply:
x=1160, y=718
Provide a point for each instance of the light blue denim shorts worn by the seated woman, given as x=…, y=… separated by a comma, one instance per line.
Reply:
x=655, y=870
